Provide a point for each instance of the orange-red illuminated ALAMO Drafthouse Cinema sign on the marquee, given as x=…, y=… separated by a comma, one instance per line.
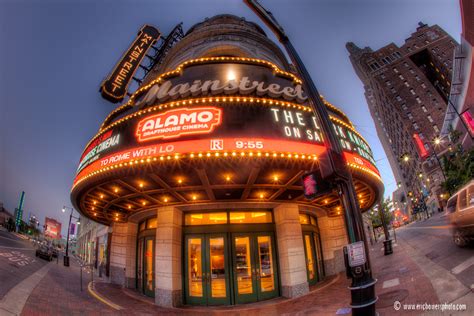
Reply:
x=178, y=122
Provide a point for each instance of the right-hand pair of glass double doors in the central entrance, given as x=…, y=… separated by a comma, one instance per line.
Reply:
x=254, y=264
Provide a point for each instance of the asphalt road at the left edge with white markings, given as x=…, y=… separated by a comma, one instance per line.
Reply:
x=17, y=261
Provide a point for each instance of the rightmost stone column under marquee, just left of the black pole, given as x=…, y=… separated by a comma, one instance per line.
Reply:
x=333, y=239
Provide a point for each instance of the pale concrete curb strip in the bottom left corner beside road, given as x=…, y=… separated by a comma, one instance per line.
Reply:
x=14, y=301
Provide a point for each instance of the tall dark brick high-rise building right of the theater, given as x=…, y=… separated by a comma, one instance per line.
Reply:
x=407, y=90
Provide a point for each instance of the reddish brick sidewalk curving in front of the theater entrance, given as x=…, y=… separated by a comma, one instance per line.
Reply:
x=399, y=279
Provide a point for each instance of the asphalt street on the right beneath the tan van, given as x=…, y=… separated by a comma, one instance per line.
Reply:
x=433, y=238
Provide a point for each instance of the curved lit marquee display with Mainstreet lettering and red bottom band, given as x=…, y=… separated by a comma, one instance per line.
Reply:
x=207, y=126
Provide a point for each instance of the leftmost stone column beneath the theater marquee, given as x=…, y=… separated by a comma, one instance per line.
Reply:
x=123, y=254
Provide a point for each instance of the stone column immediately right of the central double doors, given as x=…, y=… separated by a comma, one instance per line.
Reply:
x=292, y=260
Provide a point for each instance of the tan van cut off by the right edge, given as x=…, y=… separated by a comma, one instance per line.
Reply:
x=460, y=210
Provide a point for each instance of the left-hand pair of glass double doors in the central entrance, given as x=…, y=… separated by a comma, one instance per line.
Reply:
x=207, y=272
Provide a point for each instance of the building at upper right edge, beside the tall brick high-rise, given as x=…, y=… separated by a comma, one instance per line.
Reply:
x=462, y=88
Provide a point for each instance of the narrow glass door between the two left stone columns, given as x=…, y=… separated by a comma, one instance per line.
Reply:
x=145, y=266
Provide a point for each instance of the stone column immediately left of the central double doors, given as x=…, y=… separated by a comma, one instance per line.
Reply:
x=168, y=259
